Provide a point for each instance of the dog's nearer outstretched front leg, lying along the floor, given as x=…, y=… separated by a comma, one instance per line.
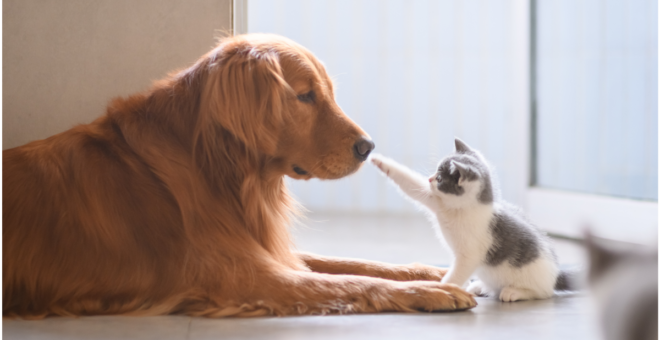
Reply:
x=291, y=292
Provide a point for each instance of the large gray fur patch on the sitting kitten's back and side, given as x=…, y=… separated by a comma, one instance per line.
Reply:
x=514, y=240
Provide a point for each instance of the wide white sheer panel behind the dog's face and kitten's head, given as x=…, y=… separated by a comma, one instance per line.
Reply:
x=413, y=74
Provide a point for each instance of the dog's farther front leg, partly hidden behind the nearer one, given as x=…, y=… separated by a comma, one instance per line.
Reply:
x=338, y=265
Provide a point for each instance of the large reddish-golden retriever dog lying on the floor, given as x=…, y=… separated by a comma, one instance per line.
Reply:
x=174, y=201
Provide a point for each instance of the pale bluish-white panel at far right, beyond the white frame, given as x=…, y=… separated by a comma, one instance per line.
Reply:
x=598, y=96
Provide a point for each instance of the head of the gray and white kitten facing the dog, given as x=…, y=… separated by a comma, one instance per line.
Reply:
x=462, y=178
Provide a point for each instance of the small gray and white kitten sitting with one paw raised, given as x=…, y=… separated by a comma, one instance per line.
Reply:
x=487, y=236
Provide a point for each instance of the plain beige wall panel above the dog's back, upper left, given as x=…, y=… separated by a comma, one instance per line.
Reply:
x=64, y=60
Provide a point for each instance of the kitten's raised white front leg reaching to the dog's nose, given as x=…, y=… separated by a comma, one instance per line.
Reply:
x=411, y=183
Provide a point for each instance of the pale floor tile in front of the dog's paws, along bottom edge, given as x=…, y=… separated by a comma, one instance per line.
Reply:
x=562, y=317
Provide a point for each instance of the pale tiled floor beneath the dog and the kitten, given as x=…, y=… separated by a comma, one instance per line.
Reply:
x=391, y=239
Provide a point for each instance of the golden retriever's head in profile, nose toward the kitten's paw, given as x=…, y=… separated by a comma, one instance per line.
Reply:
x=277, y=98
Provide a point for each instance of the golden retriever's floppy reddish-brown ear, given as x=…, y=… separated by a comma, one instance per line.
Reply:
x=245, y=92
